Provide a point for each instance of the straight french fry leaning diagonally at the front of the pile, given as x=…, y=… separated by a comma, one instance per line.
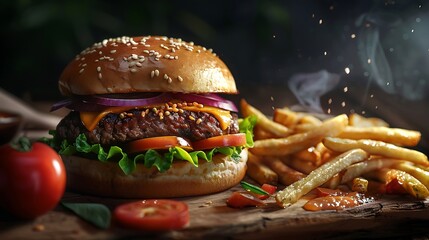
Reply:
x=293, y=192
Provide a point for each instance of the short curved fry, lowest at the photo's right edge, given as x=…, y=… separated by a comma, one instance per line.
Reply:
x=413, y=186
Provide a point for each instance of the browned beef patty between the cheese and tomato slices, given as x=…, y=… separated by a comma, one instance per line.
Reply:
x=115, y=129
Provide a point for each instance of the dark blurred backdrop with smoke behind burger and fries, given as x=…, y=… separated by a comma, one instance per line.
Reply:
x=264, y=43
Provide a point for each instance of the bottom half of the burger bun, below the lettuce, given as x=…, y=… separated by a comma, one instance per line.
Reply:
x=182, y=179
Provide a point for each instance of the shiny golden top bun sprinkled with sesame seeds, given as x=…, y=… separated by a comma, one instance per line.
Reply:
x=146, y=64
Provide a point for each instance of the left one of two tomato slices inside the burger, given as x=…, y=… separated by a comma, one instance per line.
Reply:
x=157, y=143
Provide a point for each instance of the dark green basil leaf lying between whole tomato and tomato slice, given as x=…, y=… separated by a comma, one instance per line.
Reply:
x=95, y=213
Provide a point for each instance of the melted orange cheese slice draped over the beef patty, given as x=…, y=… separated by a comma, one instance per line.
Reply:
x=91, y=119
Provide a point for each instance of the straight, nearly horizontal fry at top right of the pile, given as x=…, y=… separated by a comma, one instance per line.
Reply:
x=397, y=136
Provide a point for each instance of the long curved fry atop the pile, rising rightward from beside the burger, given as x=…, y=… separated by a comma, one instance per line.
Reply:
x=300, y=141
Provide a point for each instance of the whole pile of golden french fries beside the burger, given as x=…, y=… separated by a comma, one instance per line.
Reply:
x=303, y=152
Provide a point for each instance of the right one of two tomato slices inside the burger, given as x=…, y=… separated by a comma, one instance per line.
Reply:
x=230, y=140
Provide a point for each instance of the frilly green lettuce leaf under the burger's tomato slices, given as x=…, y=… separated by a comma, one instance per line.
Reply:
x=151, y=158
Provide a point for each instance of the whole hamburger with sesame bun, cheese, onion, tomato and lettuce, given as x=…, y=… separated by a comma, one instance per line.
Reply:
x=147, y=120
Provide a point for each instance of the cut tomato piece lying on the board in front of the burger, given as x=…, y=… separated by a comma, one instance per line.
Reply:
x=153, y=215
